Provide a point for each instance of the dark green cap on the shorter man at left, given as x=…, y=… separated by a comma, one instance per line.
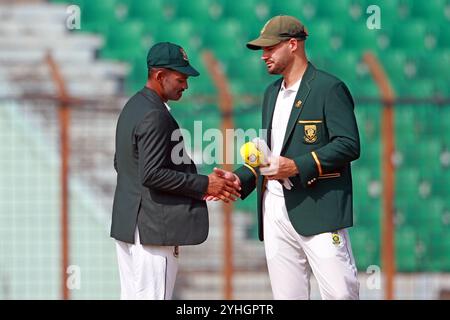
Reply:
x=170, y=56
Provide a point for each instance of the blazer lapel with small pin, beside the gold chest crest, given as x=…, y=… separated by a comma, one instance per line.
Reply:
x=299, y=102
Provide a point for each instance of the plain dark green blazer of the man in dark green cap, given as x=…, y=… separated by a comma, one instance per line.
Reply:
x=161, y=196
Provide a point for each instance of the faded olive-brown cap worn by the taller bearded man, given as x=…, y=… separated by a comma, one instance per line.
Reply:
x=278, y=29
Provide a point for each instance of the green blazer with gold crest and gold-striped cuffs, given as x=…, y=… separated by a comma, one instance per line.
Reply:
x=322, y=138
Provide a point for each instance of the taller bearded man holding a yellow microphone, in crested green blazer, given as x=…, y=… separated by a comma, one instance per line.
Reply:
x=313, y=136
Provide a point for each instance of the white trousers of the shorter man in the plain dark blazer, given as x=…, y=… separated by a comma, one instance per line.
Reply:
x=146, y=272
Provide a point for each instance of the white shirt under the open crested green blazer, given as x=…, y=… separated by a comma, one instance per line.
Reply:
x=280, y=119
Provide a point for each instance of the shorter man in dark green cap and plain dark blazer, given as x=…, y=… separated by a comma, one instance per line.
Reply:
x=159, y=200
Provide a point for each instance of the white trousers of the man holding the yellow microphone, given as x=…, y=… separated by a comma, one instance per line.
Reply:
x=291, y=258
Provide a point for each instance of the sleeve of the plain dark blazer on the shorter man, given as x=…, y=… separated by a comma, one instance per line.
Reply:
x=154, y=156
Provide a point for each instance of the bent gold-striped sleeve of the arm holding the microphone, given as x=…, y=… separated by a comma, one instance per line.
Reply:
x=343, y=146
